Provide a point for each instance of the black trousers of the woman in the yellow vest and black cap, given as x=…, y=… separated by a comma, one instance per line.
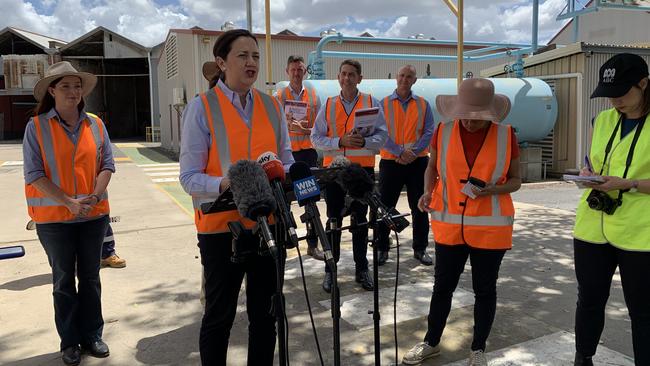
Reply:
x=595, y=265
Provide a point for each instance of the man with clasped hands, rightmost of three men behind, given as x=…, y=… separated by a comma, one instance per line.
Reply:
x=404, y=159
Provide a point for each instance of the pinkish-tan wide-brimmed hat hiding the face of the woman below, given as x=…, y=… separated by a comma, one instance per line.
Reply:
x=475, y=100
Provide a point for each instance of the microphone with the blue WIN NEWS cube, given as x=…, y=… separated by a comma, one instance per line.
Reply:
x=307, y=194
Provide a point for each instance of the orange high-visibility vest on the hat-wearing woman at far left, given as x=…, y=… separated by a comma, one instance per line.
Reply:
x=71, y=167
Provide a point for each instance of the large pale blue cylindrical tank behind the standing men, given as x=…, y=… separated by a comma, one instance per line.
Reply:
x=534, y=106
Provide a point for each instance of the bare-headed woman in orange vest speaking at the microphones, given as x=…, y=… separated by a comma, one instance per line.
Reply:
x=231, y=121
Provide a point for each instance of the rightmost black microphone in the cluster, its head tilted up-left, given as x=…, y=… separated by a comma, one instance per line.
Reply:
x=356, y=181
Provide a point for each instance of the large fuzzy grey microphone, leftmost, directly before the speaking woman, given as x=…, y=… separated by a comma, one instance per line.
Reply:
x=253, y=198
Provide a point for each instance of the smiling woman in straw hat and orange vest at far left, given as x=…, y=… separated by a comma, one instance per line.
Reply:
x=68, y=163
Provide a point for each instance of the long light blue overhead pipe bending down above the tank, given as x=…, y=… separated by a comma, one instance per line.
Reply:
x=317, y=63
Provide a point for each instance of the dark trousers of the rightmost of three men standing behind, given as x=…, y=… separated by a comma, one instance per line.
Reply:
x=394, y=176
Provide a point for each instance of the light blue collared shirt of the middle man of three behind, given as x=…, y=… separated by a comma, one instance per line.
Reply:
x=321, y=141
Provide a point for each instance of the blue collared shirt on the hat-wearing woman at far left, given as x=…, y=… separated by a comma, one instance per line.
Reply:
x=33, y=166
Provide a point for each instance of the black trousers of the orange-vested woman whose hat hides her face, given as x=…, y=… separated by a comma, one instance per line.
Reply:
x=450, y=263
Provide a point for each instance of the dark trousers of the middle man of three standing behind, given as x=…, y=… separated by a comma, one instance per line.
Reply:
x=336, y=205
